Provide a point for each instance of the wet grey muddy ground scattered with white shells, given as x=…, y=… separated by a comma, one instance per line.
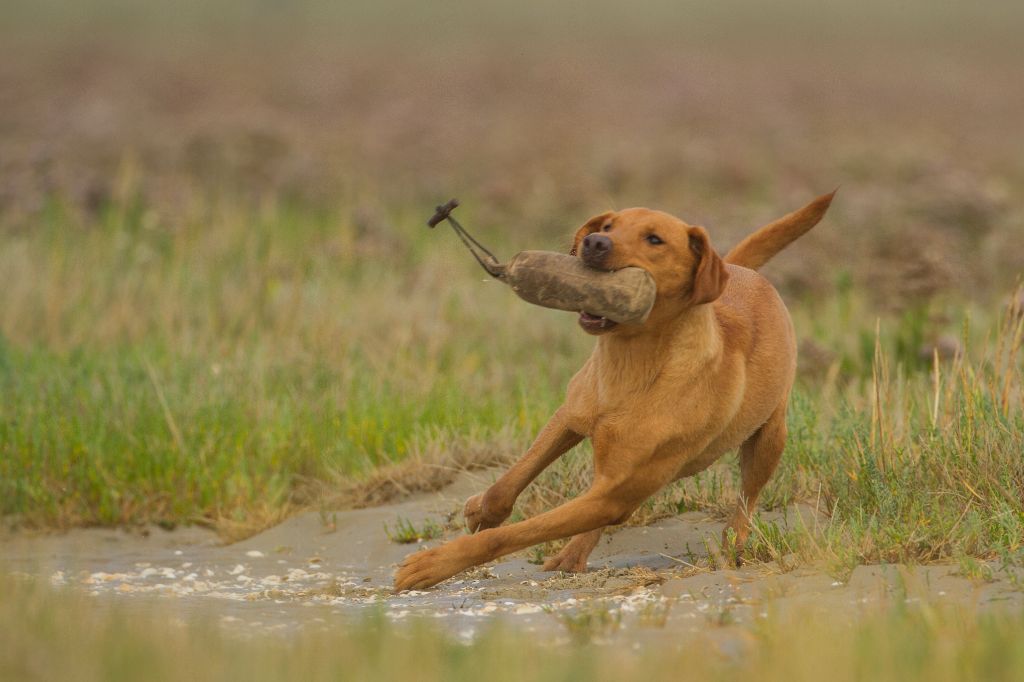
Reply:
x=323, y=570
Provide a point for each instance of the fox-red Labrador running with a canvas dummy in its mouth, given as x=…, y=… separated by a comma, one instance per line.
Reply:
x=709, y=372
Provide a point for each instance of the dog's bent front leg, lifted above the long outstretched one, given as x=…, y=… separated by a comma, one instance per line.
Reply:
x=490, y=509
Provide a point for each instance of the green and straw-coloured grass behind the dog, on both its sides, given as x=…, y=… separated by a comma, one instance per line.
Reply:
x=229, y=373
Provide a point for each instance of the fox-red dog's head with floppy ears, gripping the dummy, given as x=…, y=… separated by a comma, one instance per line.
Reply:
x=687, y=269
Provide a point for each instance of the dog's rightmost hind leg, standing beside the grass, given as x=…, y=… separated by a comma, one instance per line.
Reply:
x=758, y=458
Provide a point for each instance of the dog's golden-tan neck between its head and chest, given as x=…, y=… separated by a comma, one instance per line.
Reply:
x=632, y=363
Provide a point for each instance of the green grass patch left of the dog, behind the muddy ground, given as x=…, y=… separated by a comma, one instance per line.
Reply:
x=206, y=374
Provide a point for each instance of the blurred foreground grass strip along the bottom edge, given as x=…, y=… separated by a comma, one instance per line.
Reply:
x=67, y=635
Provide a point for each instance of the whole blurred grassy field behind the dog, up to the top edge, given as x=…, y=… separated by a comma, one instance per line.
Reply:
x=221, y=303
